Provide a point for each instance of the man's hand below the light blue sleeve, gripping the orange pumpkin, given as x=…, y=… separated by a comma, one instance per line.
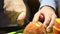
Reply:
x=48, y=14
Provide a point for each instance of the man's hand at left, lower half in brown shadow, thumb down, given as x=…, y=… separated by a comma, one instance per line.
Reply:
x=15, y=9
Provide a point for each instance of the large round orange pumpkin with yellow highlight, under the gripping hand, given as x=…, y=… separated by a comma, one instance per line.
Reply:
x=34, y=28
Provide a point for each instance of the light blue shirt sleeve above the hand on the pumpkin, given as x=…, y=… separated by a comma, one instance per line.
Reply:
x=48, y=3
